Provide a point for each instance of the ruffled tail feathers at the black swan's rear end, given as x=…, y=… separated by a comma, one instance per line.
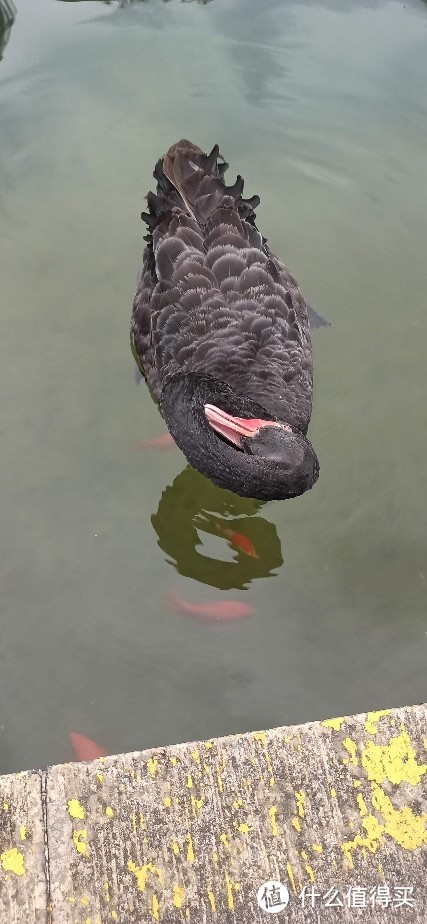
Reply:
x=193, y=182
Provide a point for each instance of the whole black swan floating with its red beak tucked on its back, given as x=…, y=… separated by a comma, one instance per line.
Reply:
x=220, y=331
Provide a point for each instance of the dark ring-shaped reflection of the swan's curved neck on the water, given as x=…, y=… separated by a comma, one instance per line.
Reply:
x=192, y=505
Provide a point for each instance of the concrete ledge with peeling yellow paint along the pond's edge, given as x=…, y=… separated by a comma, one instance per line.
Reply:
x=334, y=811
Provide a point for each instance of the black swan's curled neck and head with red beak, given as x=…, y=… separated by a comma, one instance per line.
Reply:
x=235, y=442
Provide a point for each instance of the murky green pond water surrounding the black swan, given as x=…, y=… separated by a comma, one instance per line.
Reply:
x=322, y=107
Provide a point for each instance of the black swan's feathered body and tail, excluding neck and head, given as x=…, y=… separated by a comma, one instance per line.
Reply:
x=212, y=298
